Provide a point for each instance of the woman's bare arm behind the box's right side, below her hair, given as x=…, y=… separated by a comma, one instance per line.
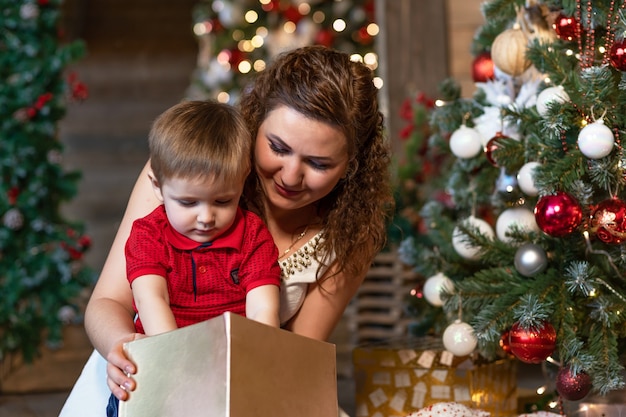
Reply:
x=324, y=305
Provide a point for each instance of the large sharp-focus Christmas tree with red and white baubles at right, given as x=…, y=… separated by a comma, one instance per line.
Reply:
x=525, y=253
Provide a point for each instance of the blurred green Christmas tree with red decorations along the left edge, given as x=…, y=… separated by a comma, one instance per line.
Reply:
x=40, y=251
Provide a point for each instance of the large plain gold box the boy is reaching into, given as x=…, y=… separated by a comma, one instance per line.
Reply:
x=231, y=366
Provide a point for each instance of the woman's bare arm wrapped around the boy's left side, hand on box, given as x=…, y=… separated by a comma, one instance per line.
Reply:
x=109, y=314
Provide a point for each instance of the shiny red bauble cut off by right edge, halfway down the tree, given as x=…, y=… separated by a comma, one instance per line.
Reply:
x=608, y=221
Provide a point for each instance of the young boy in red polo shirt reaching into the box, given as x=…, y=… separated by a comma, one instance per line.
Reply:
x=199, y=254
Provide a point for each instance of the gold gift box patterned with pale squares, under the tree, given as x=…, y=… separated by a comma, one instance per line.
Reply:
x=401, y=376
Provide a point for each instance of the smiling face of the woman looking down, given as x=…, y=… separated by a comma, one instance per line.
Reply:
x=298, y=160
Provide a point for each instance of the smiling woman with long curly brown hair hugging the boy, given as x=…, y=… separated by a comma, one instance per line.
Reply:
x=321, y=184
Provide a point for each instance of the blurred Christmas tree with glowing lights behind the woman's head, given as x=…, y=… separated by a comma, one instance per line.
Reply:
x=237, y=38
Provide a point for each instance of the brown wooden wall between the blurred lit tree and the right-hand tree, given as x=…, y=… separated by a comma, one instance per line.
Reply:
x=422, y=43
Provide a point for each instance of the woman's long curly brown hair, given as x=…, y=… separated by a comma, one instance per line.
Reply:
x=327, y=86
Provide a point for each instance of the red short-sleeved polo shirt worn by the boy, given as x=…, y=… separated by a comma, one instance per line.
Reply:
x=203, y=280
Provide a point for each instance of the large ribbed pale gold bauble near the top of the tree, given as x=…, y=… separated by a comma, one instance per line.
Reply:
x=508, y=52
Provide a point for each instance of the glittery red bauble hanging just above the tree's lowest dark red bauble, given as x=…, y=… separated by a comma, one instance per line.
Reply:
x=532, y=345
